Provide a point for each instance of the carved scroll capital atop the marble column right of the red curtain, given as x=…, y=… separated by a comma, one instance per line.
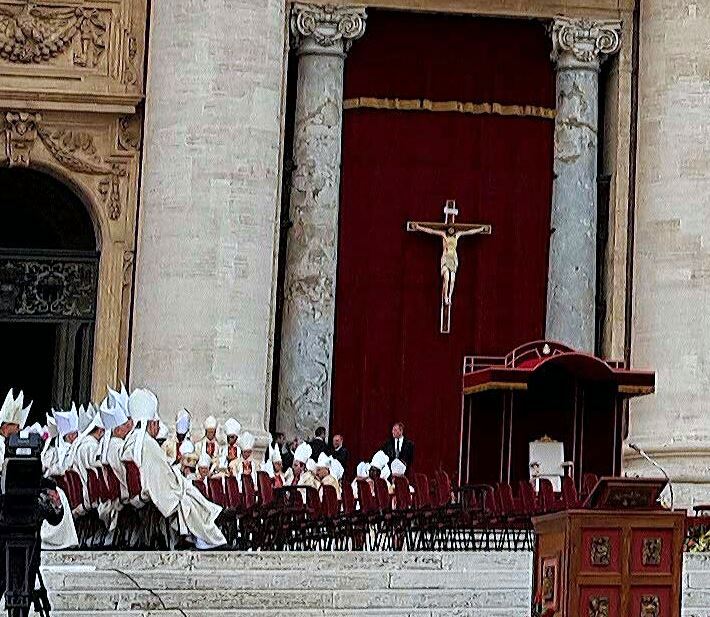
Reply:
x=583, y=41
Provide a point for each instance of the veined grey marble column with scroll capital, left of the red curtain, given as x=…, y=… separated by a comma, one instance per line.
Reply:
x=322, y=36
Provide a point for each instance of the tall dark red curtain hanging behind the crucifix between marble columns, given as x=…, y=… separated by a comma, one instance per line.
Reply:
x=391, y=362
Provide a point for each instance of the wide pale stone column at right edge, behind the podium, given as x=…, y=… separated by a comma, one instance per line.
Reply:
x=671, y=284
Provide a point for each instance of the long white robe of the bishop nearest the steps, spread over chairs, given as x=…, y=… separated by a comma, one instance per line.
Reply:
x=173, y=494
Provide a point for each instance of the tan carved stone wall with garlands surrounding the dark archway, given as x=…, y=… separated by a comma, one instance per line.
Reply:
x=70, y=86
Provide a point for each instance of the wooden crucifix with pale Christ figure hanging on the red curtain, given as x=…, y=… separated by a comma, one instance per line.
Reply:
x=449, y=231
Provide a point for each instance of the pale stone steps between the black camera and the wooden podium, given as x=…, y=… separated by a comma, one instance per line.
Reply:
x=232, y=584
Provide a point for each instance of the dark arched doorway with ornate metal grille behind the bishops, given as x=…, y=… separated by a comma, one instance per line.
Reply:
x=49, y=266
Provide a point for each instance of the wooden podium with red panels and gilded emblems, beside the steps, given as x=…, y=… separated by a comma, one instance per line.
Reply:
x=620, y=557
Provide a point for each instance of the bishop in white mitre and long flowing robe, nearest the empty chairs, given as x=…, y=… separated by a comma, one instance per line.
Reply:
x=191, y=514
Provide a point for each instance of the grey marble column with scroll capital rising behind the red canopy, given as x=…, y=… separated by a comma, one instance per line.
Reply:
x=579, y=46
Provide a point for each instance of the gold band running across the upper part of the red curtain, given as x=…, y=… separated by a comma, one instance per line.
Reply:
x=528, y=111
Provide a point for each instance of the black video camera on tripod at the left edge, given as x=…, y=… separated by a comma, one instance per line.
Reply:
x=26, y=500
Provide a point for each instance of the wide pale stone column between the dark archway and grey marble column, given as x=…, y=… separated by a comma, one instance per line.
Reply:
x=203, y=317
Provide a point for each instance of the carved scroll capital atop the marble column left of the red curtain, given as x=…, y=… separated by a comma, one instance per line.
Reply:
x=326, y=28
